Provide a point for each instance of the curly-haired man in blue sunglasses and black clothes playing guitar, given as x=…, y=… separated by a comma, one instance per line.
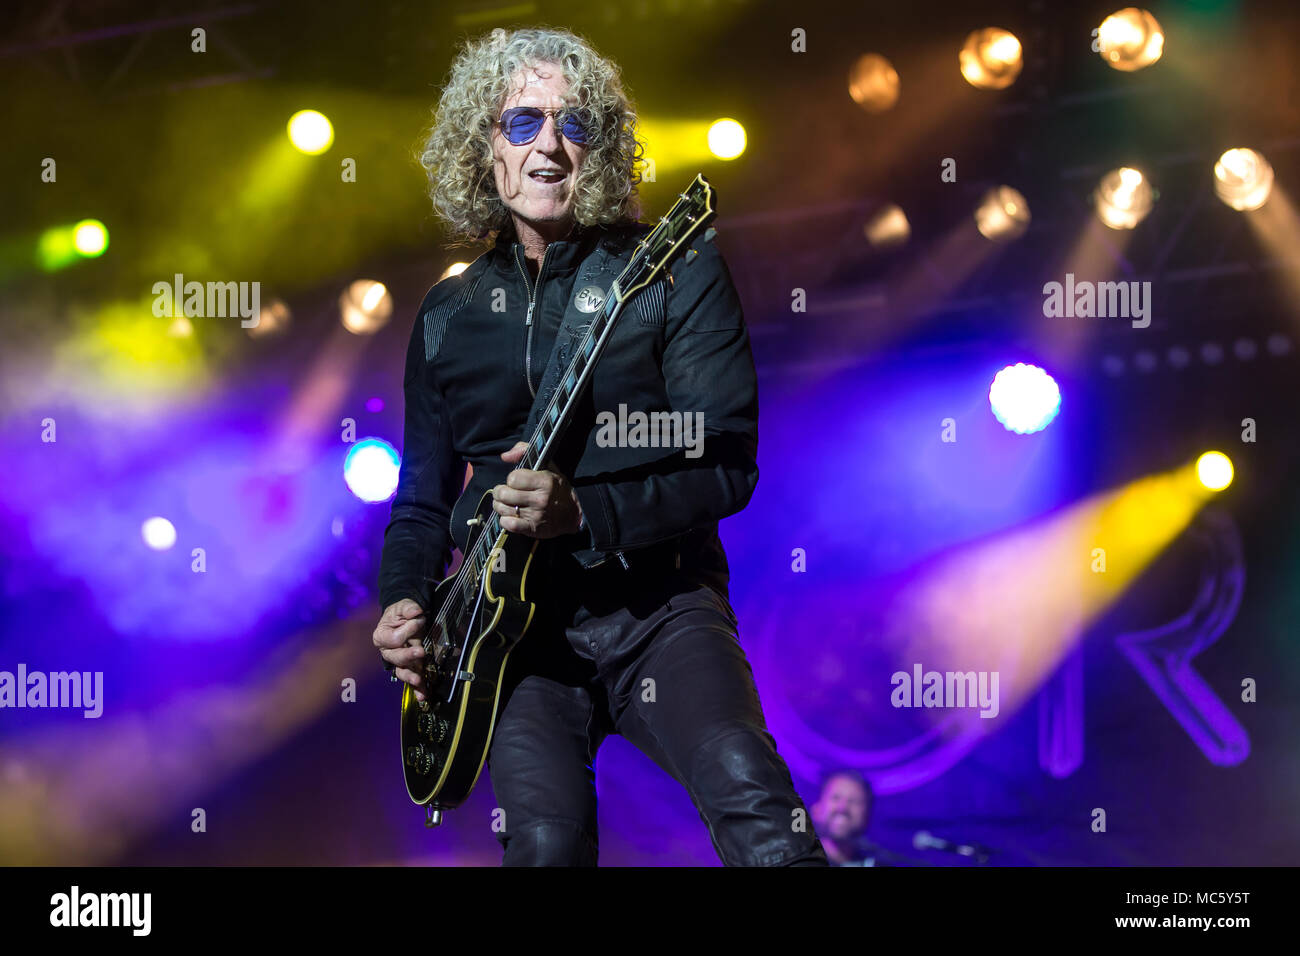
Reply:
x=535, y=148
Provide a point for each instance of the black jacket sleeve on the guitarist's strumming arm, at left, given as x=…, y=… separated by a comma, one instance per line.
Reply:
x=417, y=544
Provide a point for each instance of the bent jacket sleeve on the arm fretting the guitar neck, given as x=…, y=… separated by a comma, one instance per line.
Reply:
x=708, y=369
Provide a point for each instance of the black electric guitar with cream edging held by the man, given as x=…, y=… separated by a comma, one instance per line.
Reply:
x=482, y=613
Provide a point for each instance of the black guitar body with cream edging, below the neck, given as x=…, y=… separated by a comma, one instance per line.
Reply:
x=445, y=739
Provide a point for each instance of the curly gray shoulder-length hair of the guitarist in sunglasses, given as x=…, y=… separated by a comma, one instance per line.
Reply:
x=457, y=153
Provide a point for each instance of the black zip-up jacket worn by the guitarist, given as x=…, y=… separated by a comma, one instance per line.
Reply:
x=474, y=364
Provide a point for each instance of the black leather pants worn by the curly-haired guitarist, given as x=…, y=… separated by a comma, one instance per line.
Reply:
x=657, y=661
